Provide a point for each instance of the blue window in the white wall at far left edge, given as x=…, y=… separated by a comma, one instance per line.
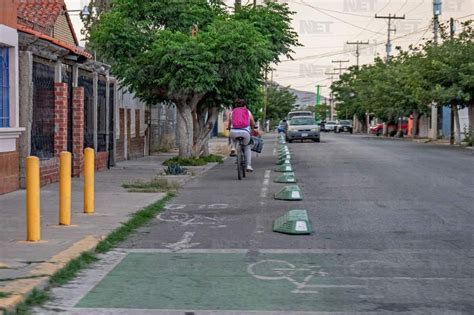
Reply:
x=4, y=87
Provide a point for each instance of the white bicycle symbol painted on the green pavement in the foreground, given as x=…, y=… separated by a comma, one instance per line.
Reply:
x=275, y=270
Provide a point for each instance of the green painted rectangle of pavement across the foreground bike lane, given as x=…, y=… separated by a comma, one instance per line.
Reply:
x=226, y=281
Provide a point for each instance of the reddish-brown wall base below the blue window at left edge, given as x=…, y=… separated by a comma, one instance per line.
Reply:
x=9, y=172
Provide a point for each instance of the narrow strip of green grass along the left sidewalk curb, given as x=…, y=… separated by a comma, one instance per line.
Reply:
x=66, y=274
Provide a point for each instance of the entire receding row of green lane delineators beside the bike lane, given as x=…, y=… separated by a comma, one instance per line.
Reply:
x=295, y=221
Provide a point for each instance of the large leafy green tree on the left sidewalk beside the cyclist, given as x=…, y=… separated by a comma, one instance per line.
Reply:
x=190, y=53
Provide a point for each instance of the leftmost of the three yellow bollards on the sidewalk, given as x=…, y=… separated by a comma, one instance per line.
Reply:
x=33, y=229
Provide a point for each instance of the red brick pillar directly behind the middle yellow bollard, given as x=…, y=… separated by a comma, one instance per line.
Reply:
x=60, y=118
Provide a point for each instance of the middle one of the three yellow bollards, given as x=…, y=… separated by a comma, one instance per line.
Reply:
x=65, y=188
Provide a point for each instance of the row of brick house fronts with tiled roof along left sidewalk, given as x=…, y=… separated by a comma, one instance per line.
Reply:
x=54, y=97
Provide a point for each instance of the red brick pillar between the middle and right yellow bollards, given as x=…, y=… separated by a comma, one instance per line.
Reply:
x=78, y=131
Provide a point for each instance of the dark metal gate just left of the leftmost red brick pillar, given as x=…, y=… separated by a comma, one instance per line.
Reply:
x=42, y=127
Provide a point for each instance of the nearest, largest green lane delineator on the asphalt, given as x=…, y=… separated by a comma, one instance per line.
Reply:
x=293, y=222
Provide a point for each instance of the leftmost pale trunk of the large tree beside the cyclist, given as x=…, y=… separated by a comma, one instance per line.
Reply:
x=185, y=130
